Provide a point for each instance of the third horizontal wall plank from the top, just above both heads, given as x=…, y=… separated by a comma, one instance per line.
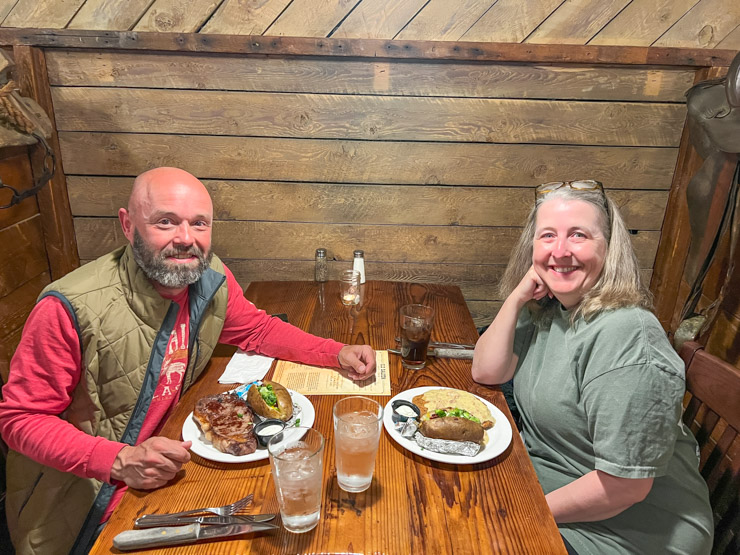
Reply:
x=365, y=161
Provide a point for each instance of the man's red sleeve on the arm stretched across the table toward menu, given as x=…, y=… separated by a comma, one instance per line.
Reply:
x=252, y=329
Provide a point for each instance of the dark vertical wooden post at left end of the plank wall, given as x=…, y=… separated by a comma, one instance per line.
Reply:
x=56, y=215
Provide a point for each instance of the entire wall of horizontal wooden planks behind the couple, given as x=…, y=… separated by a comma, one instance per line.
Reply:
x=427, y=166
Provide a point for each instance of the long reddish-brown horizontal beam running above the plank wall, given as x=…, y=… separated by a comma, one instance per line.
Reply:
x=367, y=48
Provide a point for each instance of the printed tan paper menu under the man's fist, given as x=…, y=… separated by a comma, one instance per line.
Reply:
x=314, y=380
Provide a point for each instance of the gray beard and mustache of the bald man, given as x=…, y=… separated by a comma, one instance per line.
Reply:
x=156, y=267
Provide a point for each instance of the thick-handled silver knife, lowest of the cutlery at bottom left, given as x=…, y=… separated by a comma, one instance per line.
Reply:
x=154, y=537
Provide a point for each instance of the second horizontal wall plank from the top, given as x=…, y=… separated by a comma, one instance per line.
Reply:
x=368, y=117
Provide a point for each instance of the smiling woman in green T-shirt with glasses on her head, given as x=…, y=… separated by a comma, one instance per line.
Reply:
x=597, y=383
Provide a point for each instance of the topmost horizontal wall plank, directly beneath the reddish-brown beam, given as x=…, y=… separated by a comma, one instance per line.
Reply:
x=315, y=75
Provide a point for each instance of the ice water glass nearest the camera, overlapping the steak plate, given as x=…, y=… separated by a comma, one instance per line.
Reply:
x=296, y=456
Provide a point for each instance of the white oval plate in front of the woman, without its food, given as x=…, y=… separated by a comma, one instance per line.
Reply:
x=499, y=437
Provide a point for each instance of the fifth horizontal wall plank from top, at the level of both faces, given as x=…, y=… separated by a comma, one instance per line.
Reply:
x=277, y=240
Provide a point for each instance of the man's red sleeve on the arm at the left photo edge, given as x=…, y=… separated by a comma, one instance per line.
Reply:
x=44, y=371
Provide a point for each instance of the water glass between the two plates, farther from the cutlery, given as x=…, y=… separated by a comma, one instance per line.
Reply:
x=357, y=424
